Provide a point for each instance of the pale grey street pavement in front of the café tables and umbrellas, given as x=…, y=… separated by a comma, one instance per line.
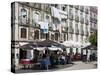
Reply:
x=76, y=66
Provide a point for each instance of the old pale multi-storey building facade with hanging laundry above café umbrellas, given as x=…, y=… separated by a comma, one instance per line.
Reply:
x=57, y=22
